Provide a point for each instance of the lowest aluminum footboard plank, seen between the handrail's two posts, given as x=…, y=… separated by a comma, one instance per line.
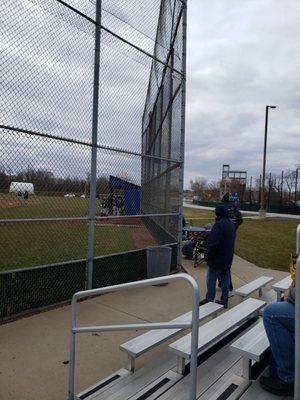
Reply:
x=143, y=377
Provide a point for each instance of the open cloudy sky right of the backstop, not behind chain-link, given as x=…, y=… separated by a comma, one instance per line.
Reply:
x=242, y=55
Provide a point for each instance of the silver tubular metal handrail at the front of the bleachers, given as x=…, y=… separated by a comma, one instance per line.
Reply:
x=194, y=324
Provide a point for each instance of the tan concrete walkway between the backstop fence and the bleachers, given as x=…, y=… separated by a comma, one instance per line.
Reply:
x=34, y=350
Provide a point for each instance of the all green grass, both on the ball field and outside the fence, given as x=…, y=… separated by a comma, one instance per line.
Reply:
x=266, y=243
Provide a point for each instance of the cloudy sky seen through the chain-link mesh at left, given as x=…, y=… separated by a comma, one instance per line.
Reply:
x=47, y=85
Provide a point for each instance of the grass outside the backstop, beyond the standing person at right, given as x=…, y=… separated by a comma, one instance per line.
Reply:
x=266, y=243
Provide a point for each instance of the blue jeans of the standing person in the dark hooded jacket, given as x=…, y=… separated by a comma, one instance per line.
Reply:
x=211, y=279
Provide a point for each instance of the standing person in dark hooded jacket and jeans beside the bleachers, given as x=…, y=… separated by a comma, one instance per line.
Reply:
x=219, y=255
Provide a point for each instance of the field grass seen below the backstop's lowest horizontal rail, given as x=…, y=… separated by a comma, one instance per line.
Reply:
x=32, y=244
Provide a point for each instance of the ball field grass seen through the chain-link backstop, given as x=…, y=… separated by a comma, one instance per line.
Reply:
x=24, y=245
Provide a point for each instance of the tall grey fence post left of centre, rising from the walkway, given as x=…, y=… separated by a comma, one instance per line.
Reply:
x=92, y=207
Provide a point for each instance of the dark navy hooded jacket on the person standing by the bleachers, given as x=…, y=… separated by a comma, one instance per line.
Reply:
x=220, y=247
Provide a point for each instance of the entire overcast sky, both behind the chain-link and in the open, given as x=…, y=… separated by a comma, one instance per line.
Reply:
x=242, y=55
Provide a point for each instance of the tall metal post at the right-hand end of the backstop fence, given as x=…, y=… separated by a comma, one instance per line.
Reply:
x=182, y=138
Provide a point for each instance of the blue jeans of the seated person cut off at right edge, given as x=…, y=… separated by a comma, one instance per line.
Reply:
x=279, y=321
